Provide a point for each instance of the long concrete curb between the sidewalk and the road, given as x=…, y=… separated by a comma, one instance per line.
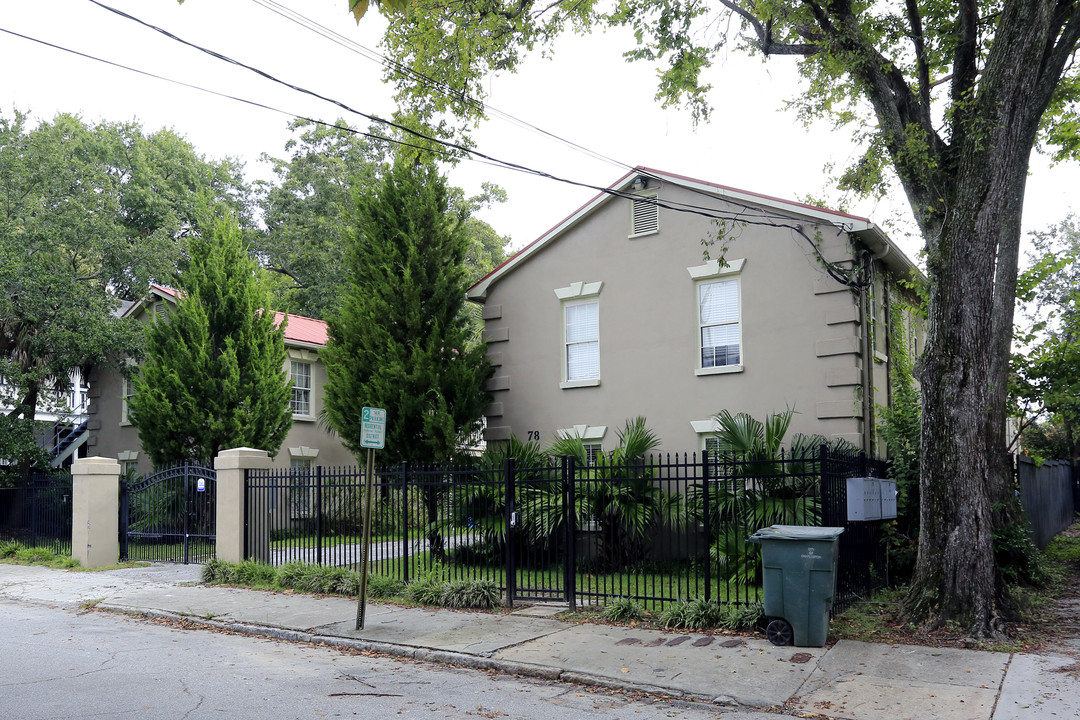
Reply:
x=427, y=656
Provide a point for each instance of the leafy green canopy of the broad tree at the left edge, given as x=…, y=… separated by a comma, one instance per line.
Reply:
x=89, y=215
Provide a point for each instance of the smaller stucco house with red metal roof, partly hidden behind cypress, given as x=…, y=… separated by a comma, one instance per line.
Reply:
x=307, y=444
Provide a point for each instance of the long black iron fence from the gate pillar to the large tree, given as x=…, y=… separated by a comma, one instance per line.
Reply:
x=657, y=531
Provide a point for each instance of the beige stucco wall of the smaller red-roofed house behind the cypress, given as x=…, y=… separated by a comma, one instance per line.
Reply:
x=112, y=439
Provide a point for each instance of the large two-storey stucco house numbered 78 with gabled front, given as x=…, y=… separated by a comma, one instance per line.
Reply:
x=616, y=313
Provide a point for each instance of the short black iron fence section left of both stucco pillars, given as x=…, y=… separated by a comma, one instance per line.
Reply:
x=38, y=513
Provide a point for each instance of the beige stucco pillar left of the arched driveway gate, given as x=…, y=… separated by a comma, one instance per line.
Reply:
x=96, y=512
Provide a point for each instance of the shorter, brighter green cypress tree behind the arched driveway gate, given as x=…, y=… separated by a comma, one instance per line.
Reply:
x=214, y=377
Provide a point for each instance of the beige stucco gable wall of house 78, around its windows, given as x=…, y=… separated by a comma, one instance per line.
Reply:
x=801, y=331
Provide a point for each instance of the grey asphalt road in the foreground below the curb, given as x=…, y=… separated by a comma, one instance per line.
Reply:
x=62, y=663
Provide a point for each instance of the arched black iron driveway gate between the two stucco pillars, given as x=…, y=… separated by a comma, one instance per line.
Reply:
x=170, y=517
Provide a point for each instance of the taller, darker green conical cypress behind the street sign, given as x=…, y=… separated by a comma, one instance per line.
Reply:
x=400, y=341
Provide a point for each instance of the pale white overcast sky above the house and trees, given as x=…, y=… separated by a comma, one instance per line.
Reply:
x=586, y=94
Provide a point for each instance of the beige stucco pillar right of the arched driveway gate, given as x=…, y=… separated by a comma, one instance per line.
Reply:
x=236, y=542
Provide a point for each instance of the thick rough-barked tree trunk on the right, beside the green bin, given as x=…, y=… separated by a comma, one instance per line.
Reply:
x=973, y=264
